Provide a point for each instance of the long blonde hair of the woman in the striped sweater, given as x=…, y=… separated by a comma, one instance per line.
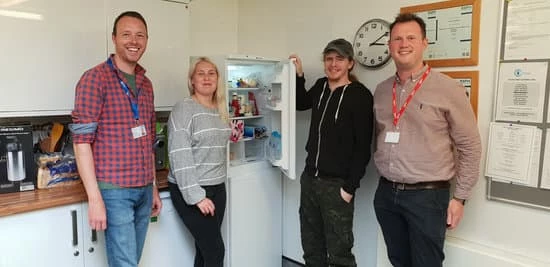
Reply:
x=219, y=95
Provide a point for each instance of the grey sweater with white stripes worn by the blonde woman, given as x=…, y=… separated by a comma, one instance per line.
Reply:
x=197, y=148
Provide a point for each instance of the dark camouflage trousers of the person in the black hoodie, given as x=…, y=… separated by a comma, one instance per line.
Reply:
x=326, y=223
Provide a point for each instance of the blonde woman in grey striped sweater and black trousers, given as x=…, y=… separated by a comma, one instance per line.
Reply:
x=198, y=132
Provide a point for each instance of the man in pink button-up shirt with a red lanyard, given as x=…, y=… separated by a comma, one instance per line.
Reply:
x=422, y=119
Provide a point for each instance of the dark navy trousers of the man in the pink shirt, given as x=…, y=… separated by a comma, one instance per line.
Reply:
x=413, y=223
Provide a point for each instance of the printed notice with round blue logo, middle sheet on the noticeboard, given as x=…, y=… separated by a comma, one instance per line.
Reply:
x=520, y=92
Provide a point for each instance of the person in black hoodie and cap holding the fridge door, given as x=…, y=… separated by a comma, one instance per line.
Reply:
x=338, y=150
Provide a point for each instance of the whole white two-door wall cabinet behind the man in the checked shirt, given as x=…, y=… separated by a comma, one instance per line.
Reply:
x=51, y=43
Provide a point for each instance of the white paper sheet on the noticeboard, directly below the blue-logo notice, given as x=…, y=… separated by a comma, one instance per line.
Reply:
x=514, y=153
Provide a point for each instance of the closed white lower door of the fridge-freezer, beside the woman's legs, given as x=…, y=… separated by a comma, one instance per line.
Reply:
x=255, y=207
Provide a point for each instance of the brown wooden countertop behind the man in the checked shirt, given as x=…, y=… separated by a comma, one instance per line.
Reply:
x=13, y=203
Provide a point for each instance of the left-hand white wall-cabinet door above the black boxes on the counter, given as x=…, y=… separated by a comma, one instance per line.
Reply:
x=48, y=45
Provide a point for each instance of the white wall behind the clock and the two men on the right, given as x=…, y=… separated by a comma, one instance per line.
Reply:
x=492, y=233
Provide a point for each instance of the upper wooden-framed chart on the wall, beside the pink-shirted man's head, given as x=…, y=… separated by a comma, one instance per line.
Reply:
x=452, y=30
